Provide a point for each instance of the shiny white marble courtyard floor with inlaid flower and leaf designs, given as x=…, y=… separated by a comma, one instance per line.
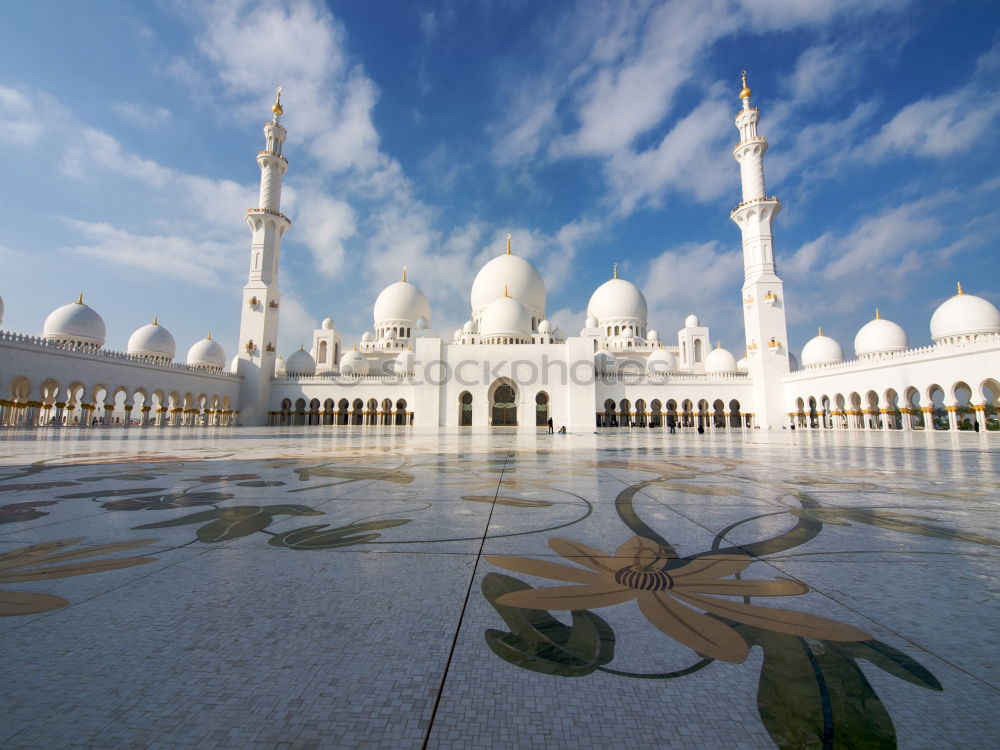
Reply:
x=321, y=587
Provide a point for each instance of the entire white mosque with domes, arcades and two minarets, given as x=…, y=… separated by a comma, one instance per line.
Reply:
x=509, y=364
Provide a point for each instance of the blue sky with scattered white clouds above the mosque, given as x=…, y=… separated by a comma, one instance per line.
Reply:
x=421, y=132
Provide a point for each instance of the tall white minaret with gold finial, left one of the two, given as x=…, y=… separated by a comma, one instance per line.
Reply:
x=261, y=298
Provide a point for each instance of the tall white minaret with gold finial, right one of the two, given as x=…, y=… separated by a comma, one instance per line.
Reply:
x=763, y=291
